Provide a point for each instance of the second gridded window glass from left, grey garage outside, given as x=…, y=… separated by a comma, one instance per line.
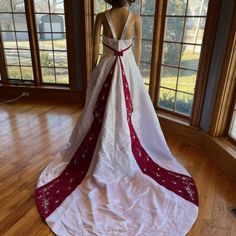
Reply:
x=51, y=31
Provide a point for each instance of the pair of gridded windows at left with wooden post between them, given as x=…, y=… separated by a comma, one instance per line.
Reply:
x=34, y=50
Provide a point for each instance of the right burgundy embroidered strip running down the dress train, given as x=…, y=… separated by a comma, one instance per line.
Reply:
x=182, y=185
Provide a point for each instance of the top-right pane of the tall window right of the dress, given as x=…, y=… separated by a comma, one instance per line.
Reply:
x=196, y=7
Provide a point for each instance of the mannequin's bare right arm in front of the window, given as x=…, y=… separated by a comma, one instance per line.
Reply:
x=138, y=39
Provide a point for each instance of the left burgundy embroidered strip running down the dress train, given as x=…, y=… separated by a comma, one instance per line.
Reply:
x=51, y=195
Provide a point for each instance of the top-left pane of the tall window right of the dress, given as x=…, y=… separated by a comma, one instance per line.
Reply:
x=176, y=7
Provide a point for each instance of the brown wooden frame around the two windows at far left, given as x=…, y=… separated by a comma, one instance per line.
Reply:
x=34, y=50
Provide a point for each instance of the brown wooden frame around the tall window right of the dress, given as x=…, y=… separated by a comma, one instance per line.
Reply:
x=205, y=57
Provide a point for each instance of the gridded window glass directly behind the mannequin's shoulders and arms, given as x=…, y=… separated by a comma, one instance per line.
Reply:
x=146, y=8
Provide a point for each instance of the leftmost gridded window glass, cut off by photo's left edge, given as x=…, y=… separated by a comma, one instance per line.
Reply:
x=14, y=32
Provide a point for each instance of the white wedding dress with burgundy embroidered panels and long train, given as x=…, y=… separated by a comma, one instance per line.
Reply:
x=117, y=176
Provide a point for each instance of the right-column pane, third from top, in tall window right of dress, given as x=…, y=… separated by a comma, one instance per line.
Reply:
x=190, y=56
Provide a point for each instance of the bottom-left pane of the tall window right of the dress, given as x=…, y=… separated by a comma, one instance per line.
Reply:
x=166, y=98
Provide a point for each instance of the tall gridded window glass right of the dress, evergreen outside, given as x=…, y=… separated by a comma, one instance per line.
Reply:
x=182, y=44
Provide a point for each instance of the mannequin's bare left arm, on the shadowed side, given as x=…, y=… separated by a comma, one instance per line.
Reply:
x=96, y=39
